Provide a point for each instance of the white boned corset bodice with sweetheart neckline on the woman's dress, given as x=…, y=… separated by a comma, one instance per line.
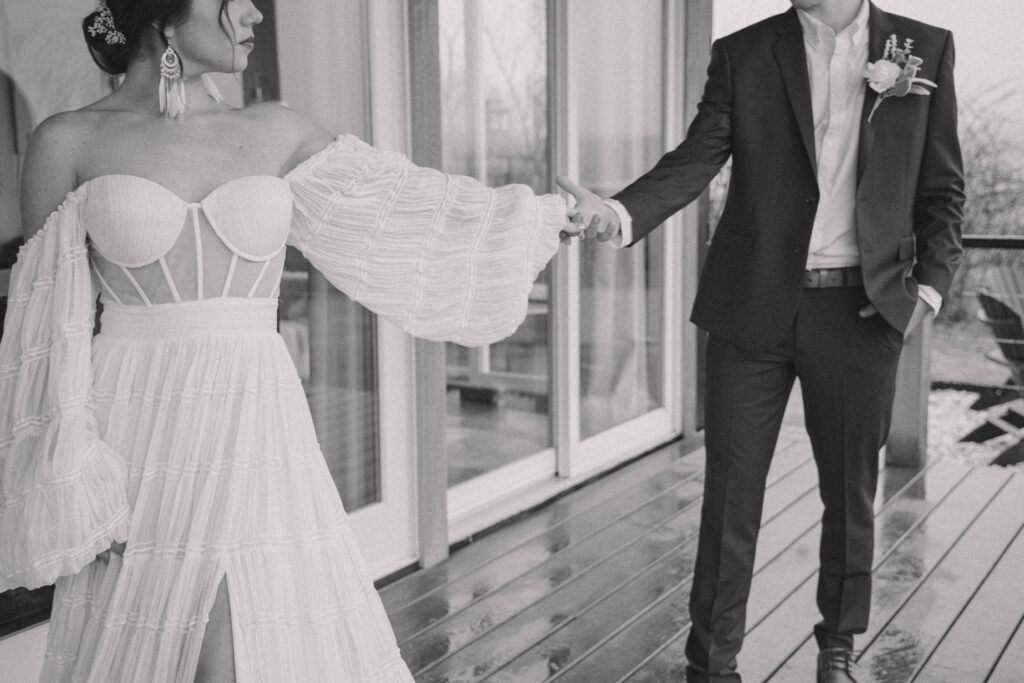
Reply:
x=150, y=246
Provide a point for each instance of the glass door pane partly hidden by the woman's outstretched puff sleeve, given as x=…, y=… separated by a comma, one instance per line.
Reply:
x=494, y=121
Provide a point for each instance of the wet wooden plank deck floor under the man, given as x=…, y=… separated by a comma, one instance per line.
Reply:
x=593, y=588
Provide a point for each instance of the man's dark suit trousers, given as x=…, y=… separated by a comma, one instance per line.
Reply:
x=847, y=369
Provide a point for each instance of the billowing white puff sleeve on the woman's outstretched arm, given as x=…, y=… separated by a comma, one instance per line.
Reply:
x=443, y=257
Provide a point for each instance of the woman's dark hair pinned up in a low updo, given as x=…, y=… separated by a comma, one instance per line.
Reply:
x=132, y=18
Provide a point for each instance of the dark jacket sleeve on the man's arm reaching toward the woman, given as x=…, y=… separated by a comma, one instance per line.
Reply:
x=682, y=175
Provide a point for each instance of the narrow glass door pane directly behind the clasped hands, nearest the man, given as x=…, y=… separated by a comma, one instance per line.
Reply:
x=619, y=76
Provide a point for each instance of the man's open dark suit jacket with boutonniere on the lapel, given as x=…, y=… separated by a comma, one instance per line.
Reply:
x=757, y=109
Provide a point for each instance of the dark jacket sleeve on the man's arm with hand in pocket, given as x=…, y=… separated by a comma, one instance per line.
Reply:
x=938, y=209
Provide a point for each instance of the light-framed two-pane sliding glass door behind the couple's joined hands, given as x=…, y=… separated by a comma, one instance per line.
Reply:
x=530, y=90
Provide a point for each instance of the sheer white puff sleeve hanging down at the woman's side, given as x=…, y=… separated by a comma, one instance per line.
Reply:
x=63, y=491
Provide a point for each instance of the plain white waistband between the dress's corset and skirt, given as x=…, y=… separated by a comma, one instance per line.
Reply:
x=209, y=317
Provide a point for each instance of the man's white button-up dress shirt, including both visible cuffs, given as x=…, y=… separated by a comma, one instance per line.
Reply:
x=836, y=65
